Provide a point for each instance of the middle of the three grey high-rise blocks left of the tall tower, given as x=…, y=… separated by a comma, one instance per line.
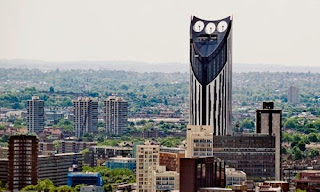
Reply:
x=85, y=119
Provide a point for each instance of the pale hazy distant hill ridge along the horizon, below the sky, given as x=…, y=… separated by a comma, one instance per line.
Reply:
x=145, y=67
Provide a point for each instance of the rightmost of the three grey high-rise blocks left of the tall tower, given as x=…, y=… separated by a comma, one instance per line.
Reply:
x=116, y=111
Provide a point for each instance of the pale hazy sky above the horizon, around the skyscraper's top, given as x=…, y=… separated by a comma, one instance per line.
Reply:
x=269, y=31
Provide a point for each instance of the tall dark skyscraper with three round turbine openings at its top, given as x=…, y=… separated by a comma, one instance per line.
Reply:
x=211, y=74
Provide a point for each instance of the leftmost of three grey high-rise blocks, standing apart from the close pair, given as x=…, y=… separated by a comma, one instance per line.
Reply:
x=35, y=113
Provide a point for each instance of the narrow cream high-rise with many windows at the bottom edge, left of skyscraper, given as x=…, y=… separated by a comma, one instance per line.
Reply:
x=147, y=163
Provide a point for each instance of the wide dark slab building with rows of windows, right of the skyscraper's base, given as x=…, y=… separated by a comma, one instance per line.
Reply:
x=254, y=154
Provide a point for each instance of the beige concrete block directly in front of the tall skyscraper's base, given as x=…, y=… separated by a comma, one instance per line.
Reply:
x=199, y=141
